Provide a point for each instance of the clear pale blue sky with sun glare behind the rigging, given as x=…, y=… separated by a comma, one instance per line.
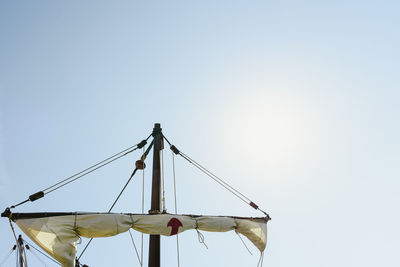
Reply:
x=296, y=103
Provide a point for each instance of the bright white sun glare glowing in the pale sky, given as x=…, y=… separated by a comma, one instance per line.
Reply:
x=275, y=128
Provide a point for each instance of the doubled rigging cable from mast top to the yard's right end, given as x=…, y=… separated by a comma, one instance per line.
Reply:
x=216, y=178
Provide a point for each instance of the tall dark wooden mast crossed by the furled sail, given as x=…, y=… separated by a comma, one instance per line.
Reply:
x=154, y=246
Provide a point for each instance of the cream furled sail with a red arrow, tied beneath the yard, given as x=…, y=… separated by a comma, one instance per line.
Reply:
x=57, y=233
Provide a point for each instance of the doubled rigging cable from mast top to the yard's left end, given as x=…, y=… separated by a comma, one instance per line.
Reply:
x=80, y=174
